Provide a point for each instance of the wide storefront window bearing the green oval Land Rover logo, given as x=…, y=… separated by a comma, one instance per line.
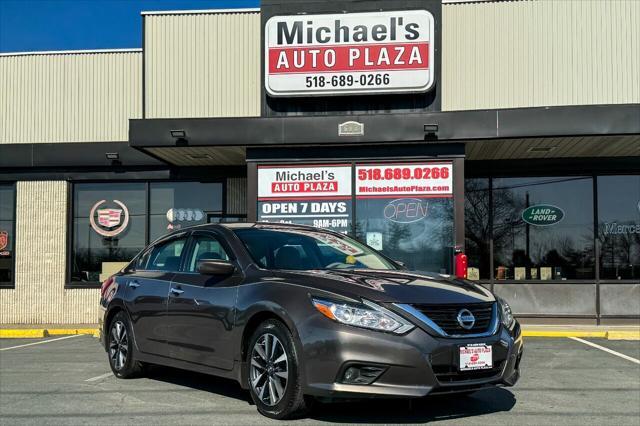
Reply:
x=543, y=228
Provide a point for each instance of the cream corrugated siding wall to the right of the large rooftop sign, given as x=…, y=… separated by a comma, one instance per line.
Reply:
x=512, y=54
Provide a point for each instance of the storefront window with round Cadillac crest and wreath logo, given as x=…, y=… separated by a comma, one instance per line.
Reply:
x=108, y=228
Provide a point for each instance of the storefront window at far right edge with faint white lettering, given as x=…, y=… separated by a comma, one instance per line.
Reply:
x=619, y=227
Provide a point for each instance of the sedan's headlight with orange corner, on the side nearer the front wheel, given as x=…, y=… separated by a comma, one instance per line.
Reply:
x=366, y=315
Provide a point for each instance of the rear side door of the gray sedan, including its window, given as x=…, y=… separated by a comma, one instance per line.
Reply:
x=148, y=292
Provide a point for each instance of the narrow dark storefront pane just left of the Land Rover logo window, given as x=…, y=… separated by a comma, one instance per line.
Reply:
x=477, y=228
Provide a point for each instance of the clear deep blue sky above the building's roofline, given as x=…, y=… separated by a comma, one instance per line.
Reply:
x=34, y=25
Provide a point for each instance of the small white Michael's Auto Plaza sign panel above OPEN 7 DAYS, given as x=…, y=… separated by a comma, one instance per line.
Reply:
x=304, y=181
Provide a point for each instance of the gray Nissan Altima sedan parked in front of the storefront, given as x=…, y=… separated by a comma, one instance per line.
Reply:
x=294, y=314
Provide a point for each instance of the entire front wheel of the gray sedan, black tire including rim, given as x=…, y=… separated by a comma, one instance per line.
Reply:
x=288, y=402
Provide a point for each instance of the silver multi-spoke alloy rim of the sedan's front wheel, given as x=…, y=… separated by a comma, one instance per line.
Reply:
x=269, y=371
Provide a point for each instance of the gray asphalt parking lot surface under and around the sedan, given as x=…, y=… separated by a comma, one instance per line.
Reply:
x=68, y=381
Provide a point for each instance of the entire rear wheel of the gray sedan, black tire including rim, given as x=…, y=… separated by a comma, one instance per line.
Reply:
x=120, y=348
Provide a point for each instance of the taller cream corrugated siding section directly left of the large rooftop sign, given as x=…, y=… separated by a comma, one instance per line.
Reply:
x=202, y=65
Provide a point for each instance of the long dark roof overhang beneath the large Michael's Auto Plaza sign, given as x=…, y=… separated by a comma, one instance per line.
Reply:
x=569, y=129
